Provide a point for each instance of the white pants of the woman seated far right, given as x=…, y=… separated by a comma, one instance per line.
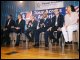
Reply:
x=68, y=32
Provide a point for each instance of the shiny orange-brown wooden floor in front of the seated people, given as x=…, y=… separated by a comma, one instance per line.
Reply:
x=38, y=53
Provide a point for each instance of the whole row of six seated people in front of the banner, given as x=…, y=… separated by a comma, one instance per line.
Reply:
x=46, y=25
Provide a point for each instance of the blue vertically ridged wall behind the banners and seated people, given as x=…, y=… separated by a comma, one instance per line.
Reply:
x=15, y=7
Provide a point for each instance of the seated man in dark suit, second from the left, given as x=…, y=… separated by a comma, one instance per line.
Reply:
x=20, y=27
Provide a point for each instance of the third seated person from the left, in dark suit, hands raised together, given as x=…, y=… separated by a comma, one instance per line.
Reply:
x=32, y=25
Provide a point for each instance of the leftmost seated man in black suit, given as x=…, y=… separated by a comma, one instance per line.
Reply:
x=10, y=23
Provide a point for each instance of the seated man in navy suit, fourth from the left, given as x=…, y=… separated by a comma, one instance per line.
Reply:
x=44, y=25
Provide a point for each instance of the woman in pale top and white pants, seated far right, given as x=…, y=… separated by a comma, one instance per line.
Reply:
x=70, y=24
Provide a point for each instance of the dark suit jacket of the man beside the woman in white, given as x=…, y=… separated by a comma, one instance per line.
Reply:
x=60, y=21
